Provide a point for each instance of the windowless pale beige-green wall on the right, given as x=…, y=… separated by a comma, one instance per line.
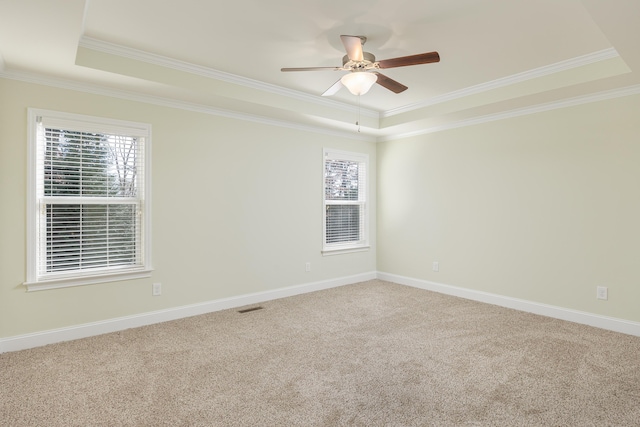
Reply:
x=543, y=207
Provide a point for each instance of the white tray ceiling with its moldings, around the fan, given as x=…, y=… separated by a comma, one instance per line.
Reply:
x=496, y=55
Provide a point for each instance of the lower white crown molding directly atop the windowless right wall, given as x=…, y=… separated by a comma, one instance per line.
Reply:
x=569, y=102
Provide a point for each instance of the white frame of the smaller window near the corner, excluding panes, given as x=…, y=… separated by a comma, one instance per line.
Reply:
x=363, y=200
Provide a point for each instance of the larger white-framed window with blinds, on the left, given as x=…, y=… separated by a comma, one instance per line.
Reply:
x=88, y=207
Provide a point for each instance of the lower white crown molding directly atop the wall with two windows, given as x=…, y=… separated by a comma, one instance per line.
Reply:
x=172, y=103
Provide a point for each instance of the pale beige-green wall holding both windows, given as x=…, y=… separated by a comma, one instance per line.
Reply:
x=236, y=209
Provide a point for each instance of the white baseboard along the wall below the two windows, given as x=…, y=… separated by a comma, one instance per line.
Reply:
x=22, y=342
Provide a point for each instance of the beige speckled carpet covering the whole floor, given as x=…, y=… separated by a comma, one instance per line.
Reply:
x=370, y=354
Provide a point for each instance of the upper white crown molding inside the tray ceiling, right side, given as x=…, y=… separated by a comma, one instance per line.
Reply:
x=568, y=64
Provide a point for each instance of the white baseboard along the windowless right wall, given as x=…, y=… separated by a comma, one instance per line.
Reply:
x=603, y=322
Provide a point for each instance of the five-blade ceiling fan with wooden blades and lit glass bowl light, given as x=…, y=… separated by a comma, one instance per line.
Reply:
x=362, y=67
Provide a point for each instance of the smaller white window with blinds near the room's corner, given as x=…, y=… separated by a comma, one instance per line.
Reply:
x=345, y=201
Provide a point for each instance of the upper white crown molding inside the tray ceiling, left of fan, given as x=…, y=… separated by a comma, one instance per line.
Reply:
x=163, y=61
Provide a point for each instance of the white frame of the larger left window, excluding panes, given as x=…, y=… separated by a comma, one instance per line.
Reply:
x=90, y=124
